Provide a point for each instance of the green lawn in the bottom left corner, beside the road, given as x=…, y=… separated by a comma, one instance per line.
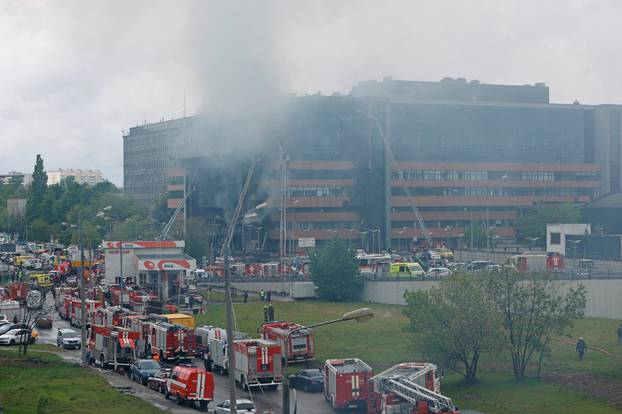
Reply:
x=42, y=383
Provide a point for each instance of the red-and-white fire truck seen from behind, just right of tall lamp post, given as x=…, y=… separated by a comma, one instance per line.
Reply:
x=257, y=363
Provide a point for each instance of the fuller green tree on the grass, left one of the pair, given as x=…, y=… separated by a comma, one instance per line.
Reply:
x=454, y=323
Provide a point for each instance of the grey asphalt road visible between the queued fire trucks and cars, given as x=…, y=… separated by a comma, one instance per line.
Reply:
x=311, y=403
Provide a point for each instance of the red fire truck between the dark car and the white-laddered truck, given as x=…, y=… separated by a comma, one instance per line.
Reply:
x=346, y=383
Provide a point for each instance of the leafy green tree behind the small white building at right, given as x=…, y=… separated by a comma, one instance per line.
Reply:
x=531, y=222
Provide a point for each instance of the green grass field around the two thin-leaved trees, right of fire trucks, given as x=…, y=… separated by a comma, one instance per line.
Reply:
x=382, y=342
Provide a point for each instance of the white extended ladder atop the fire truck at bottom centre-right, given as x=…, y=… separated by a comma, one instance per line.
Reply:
x=400, y=380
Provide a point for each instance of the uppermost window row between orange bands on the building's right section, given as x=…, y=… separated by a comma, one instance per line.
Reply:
x=469, y=175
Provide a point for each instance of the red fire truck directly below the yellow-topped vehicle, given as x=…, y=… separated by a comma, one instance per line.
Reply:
x=170, y=341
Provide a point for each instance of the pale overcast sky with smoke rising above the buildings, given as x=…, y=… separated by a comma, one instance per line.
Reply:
x=74, y=74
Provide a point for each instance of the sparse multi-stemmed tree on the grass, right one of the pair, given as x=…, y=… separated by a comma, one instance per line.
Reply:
x=532, y=311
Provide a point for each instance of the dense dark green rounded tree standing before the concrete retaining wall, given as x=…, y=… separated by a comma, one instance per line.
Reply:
x=335, y=273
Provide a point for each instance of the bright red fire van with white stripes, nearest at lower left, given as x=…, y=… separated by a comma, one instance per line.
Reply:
x=188, y=383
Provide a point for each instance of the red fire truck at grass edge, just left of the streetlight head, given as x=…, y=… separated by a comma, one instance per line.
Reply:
x=300, y=345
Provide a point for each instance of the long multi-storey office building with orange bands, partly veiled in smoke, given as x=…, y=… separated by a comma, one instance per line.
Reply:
x=398, y=161
